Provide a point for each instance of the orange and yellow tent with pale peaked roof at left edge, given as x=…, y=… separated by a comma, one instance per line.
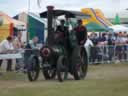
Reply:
x=8, y=24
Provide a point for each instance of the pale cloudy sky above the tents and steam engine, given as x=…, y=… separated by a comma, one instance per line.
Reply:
x=109, y=7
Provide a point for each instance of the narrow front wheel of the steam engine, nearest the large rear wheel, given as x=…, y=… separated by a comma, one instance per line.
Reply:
x=61, y=68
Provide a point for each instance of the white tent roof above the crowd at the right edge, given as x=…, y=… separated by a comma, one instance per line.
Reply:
x=119, y=28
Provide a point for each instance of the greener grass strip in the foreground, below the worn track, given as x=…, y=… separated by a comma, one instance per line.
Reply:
x=81, y=88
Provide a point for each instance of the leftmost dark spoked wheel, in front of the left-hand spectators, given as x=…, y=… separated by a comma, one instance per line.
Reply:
x=33, y=69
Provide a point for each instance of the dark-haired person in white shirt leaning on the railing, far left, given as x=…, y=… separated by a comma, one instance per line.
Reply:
x=6, y=46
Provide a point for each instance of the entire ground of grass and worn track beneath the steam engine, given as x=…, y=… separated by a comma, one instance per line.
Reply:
x=102, y=80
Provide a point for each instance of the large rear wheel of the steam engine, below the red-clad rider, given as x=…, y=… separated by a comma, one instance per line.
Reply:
x=79, y=63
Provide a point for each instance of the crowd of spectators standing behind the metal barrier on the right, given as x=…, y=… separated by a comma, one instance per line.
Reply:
x=108, y=46
